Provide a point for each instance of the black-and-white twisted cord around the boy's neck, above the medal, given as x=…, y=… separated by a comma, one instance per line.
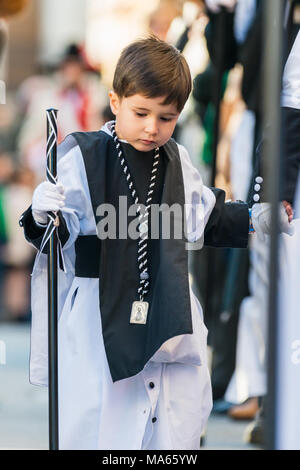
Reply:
x=142, y=253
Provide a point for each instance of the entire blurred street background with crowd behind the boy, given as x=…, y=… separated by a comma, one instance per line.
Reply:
x=62, y=54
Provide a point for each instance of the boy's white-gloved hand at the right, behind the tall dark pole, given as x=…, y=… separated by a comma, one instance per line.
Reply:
x=261, y=220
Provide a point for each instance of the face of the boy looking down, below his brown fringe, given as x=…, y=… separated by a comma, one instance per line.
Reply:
x=145, y=123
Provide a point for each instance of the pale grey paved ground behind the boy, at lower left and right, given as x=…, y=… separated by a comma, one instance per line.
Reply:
x=24, y=408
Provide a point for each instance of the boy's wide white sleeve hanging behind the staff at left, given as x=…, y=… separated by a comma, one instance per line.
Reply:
x=79, y=218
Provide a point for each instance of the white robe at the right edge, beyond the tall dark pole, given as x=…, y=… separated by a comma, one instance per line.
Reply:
x=288, y=345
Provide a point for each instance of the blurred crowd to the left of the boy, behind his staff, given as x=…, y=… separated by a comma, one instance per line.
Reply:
x=76, y=91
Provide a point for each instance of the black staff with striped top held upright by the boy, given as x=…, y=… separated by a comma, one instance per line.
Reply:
x=52, y=285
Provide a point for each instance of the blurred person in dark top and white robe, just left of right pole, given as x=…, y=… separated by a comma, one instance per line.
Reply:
x=246, y=379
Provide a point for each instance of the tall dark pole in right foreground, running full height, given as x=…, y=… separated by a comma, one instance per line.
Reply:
x=273, y=38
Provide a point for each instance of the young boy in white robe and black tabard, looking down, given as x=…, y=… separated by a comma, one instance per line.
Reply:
x=132, y=343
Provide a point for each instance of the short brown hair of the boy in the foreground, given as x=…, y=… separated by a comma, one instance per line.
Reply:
x=153, y=68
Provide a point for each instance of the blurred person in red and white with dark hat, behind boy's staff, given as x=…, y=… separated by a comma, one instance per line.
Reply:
x=75, y=92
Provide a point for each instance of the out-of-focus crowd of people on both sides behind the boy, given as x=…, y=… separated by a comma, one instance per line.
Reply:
x=81, y=96
